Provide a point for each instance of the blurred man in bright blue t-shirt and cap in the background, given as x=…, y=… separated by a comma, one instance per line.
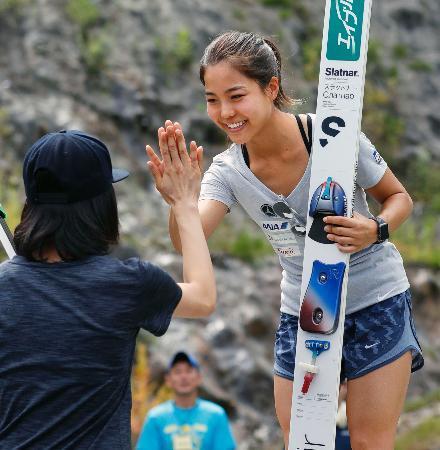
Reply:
x=187, y=422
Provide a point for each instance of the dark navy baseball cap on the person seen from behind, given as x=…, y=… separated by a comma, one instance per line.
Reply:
x=68, y=166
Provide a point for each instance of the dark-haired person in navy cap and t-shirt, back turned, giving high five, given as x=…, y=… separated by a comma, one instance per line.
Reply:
x=69, y=312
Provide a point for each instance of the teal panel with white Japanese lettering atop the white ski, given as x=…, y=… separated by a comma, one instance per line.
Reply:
x=345, y=30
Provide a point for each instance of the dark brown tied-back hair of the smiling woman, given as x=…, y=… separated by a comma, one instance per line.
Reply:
x=255, y=57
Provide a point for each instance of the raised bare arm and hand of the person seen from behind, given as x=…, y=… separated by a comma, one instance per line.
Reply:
x=177, y=178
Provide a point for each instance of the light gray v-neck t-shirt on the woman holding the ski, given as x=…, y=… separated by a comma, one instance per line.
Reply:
x=376, y=273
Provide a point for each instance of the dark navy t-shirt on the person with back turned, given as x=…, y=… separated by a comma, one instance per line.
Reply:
x=67, y=339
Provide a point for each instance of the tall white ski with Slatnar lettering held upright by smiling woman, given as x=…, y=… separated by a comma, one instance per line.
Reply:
x=332, y=184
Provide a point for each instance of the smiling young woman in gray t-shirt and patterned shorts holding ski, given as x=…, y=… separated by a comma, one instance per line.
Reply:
x=269, y=162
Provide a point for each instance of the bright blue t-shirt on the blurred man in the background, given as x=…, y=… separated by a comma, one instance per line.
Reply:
x=203, y=427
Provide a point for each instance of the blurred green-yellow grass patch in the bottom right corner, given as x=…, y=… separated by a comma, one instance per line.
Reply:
x=425, y=436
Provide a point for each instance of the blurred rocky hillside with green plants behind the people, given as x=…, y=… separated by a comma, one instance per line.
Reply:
x=118, y=69
